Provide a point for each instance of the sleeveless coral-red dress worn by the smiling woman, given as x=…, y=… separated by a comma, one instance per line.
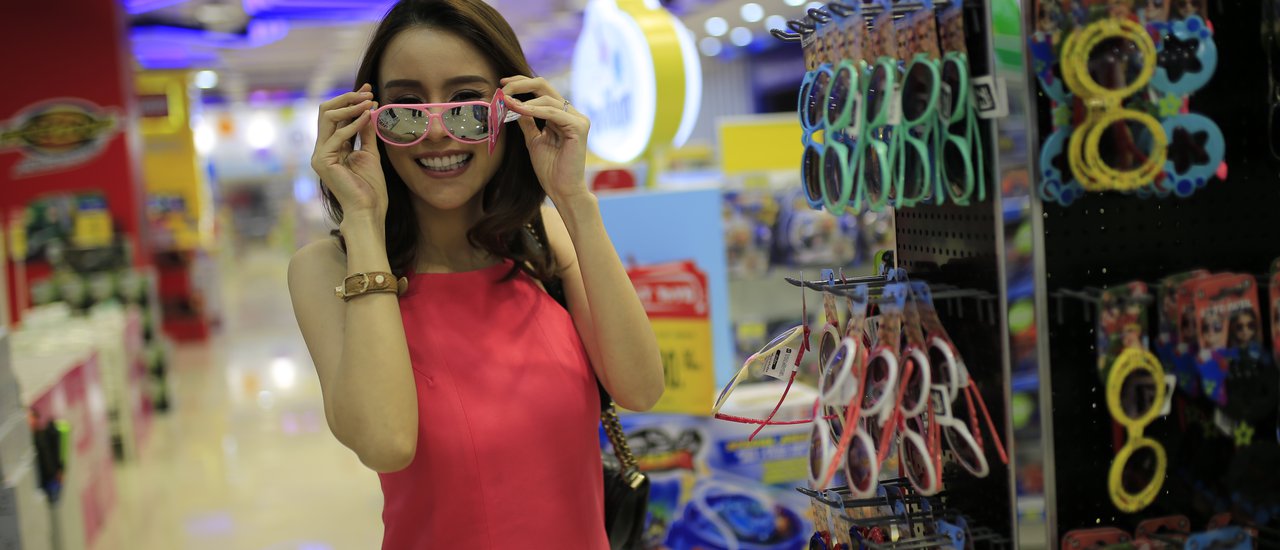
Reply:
x=509, y=452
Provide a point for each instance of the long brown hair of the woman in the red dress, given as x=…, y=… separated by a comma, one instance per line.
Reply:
x=513, y=199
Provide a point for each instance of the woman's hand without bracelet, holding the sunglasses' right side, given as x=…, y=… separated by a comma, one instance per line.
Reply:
x=559, y=152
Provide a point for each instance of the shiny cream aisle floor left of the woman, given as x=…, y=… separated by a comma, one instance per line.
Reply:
x=245, y=461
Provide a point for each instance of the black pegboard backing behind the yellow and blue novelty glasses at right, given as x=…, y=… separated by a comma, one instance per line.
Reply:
x=1110, y=239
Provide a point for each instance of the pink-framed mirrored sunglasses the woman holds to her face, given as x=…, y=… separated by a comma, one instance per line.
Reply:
x=468, y=122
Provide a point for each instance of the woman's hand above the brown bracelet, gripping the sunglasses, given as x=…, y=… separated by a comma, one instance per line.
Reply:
x=355, y=177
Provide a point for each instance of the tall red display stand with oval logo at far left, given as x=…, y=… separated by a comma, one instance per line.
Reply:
x=70, y=130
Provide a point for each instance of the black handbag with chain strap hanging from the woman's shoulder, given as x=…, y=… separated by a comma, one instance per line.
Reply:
x=627, y=489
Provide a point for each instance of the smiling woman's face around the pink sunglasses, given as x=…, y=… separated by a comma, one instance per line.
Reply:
x=427, y=66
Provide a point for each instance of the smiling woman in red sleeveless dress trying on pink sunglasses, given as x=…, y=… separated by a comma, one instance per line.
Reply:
x=467, y=383
